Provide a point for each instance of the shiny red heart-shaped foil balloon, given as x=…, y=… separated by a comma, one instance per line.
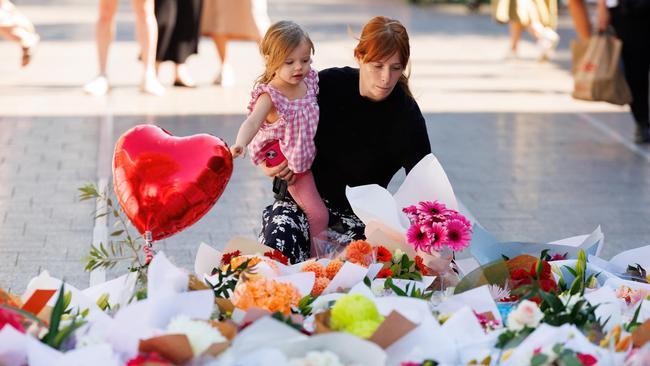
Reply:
x=166, y=183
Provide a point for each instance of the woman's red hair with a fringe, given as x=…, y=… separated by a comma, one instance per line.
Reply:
x=382, y=37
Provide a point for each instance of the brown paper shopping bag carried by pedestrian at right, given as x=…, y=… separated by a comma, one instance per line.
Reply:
x=598, y=76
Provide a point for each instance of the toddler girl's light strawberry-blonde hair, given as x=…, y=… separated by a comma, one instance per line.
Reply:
x=279, y=41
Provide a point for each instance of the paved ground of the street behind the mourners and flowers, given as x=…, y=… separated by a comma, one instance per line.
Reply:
x=528, y=161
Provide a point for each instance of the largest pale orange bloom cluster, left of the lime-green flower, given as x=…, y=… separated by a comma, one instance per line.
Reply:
x=266, y=294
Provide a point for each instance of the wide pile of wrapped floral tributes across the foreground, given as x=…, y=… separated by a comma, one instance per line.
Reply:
x=373, y=303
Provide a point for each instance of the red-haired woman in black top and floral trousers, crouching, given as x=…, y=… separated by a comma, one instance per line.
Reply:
x=370, y=127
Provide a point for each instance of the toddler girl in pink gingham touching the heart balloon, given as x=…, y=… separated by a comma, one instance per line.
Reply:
x=284, y=113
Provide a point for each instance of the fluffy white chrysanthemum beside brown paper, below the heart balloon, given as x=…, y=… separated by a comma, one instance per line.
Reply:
x=200, y=334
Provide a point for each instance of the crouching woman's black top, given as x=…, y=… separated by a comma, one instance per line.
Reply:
x=360, y=141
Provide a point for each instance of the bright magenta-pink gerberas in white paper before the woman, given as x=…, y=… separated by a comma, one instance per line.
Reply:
x=434, y=227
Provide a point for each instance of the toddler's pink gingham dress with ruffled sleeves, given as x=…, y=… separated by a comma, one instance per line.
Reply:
x=295, y=128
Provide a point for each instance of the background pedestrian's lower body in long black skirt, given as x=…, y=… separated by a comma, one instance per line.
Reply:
x=178, y=35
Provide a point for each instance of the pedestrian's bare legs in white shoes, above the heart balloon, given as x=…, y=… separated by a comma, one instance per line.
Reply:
x=147, y=35
